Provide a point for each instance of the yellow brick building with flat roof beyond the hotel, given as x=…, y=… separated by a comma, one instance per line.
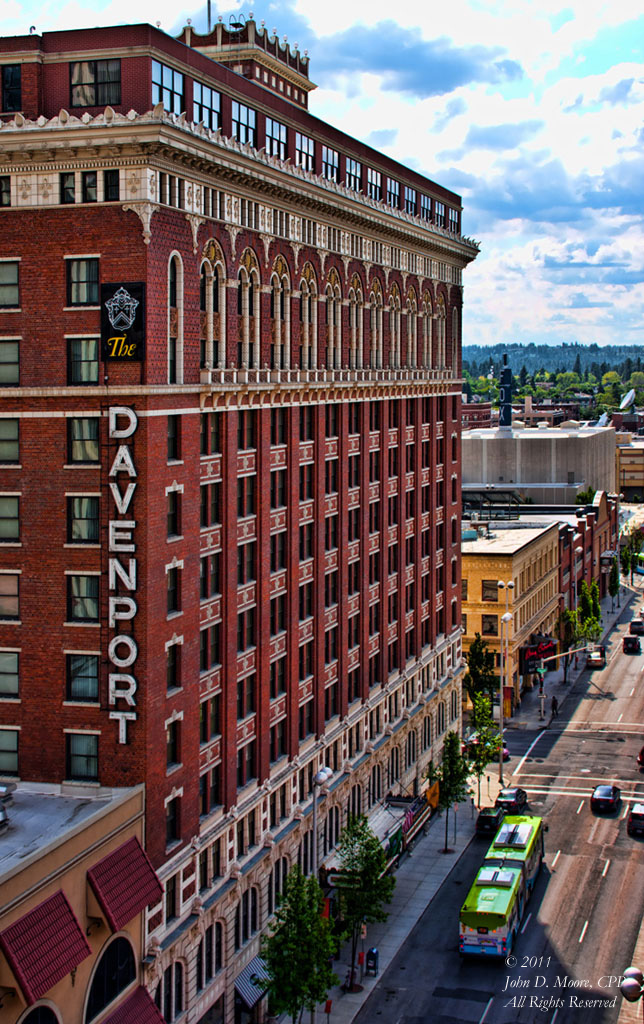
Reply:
x=530, y=559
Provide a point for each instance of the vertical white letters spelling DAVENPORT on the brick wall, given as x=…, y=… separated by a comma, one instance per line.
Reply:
x=122, y=651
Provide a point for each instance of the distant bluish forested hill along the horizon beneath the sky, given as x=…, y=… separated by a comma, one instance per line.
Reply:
x=555, y=359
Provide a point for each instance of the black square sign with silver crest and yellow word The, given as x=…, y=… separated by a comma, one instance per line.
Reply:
x=123, y=322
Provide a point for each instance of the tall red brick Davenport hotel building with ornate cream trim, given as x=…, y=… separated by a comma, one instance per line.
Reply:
x=230, y=466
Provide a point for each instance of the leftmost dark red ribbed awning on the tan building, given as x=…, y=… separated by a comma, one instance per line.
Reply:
x=44, y=947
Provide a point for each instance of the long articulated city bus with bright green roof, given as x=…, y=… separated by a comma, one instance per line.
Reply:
x=492, y=914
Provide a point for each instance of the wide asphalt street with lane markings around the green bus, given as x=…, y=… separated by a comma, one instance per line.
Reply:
x=583, y=921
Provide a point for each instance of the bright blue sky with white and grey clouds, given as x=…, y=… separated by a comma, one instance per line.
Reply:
x=532, y=112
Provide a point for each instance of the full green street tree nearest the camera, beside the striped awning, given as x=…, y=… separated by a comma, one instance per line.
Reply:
x=299, y=950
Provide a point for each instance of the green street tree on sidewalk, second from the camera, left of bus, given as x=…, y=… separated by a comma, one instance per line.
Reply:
x=365, y=888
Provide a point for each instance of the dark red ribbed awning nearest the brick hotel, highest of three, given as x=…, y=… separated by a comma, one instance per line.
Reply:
x=124, y=883
